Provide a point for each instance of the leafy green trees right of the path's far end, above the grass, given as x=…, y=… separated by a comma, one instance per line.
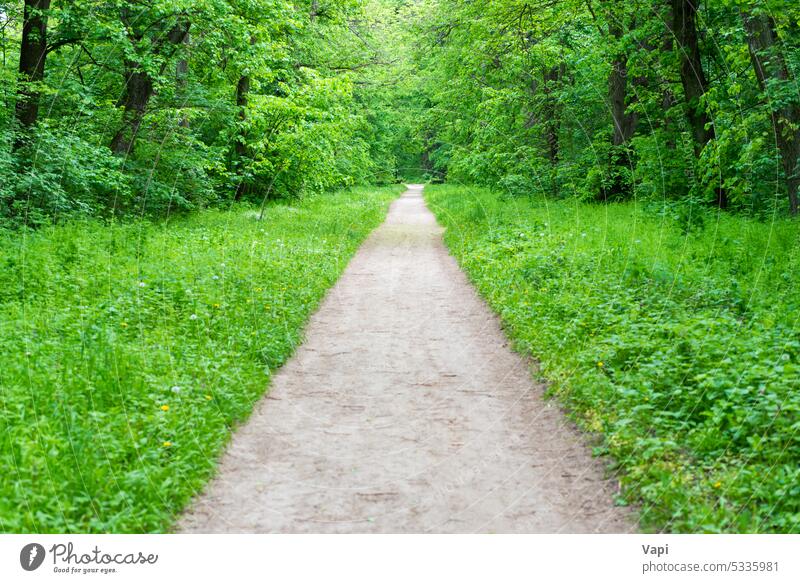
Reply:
x=609, y=100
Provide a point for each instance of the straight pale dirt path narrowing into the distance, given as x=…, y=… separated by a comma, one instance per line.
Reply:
x=406, y=411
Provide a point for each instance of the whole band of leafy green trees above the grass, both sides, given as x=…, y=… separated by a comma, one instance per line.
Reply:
x=128, y=107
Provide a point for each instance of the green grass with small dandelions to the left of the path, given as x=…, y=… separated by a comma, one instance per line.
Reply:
x=130, y=351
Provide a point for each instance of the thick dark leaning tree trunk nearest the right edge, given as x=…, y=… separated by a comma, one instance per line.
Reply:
x=769, y=63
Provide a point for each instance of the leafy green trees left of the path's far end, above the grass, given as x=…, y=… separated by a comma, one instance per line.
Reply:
x=130, y=107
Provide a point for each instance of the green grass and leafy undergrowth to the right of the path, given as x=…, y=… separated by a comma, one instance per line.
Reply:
x=679, y=348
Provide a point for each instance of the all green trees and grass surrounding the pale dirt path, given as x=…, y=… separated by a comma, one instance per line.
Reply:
x=182, y=180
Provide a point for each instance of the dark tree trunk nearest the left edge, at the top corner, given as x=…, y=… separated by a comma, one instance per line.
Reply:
x=32, y=55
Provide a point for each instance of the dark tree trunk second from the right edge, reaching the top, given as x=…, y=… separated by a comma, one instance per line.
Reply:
x=693, y=79
